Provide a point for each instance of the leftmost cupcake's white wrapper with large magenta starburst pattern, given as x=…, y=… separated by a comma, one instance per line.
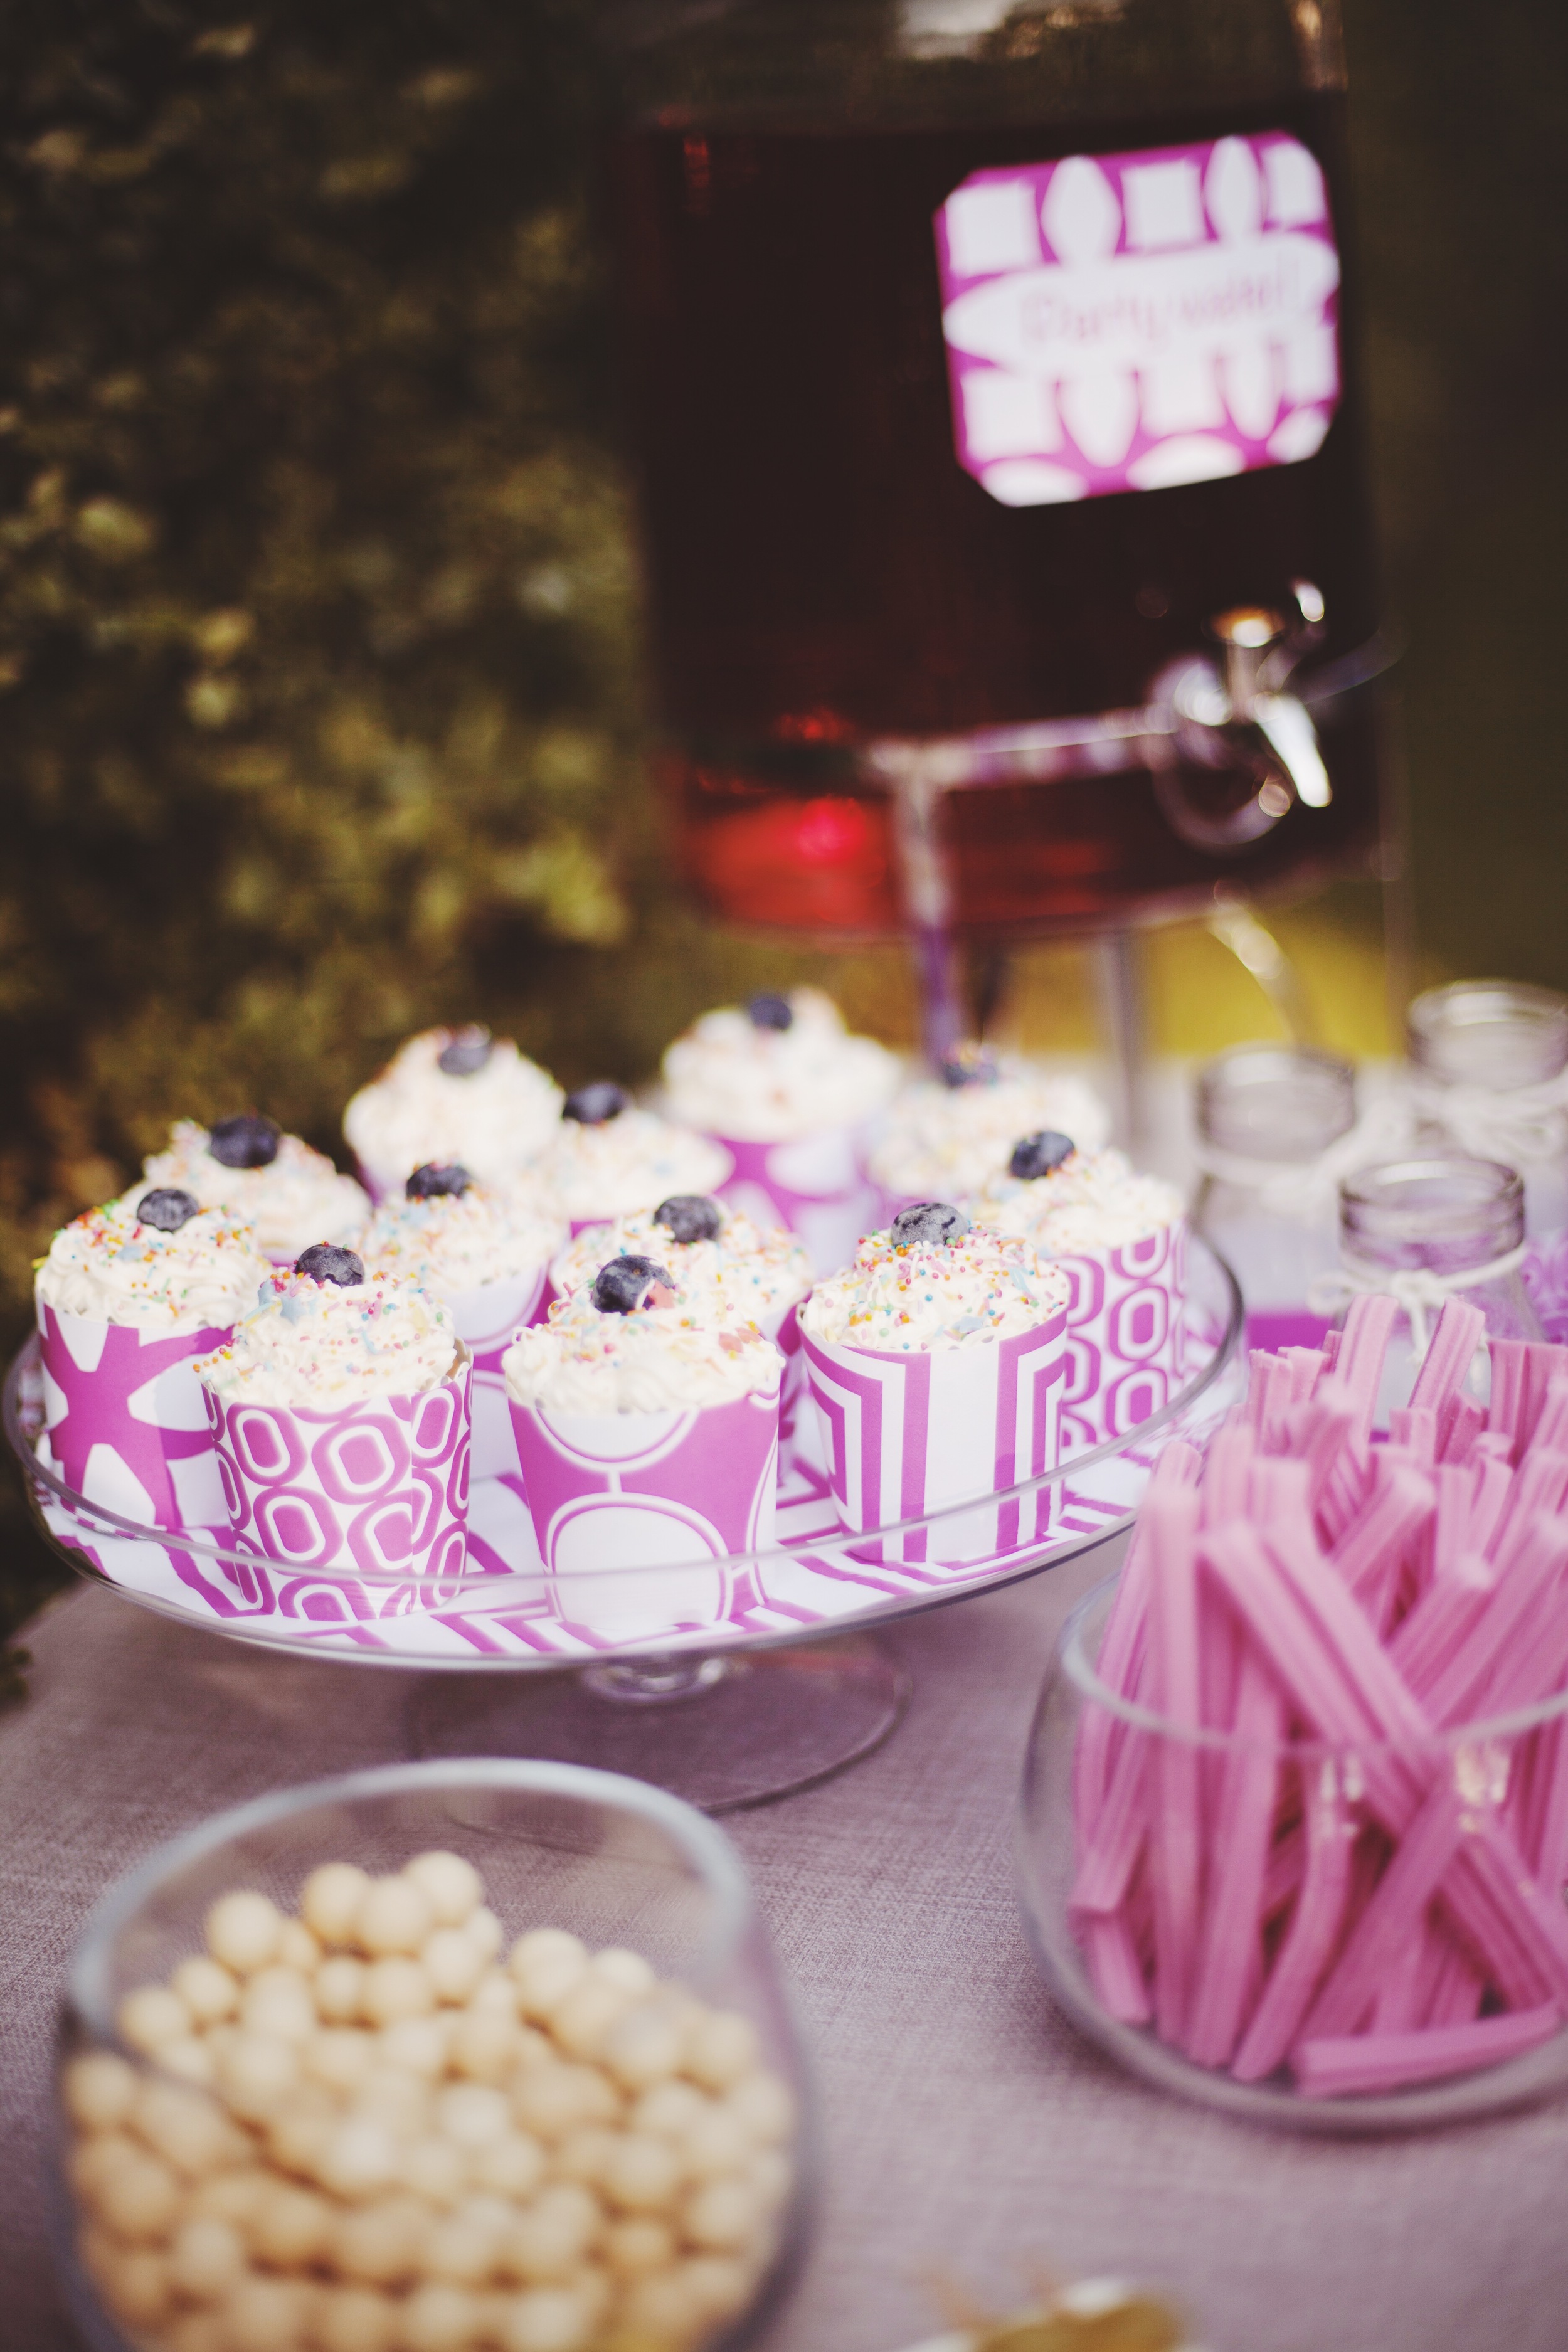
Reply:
x=128, y=1419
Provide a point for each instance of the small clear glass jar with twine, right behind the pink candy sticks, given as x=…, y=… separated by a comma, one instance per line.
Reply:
x=1430, y=1231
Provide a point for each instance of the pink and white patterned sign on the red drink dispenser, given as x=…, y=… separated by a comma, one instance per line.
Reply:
x=1139, y=321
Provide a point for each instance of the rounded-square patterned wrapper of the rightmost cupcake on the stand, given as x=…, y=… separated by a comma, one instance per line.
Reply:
x=1125, y=1337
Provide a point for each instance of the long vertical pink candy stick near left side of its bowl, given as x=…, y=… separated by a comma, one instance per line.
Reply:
x=1177, y=1847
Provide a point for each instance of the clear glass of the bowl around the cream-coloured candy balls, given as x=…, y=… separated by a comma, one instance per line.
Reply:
x=615, y=1862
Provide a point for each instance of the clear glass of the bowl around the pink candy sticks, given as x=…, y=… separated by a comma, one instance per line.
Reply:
x=1482, y=1763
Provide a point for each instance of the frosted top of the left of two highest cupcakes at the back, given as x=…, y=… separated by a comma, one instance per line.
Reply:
x=453, y=1097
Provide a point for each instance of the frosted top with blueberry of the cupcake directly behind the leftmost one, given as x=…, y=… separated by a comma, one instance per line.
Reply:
x=257, y=1175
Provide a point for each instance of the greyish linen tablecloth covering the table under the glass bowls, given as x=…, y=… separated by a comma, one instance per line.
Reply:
x=967, y=2127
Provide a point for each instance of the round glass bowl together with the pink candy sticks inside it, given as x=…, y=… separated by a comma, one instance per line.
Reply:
x=1339, y=1935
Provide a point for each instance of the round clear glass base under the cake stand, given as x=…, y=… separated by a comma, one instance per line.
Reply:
x=721, y=1732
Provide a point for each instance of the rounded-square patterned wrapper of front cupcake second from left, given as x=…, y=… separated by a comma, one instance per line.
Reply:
x=375, y=1488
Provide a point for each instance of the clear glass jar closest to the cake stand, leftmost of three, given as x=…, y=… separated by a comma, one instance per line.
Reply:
x=1266, y=1118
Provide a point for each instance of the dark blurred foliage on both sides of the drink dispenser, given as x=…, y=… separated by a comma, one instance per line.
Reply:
x=319, y=669
